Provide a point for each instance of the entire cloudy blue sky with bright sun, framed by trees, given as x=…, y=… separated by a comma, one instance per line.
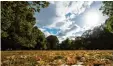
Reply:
x=68, y=19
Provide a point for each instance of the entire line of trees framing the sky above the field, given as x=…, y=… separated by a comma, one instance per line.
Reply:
x=19, y=33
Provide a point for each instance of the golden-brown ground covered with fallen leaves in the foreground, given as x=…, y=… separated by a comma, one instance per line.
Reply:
x=57, y=58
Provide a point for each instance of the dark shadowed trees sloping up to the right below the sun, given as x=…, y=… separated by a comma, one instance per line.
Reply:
x=100, y=38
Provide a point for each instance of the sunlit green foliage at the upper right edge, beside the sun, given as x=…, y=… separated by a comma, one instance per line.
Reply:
x=107, y=9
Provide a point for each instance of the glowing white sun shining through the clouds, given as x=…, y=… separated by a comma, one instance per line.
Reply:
x=92, y=18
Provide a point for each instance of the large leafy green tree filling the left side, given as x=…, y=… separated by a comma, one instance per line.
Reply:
x=17, y=22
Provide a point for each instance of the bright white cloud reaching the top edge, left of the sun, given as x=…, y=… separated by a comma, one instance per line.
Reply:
x=63, y=8
